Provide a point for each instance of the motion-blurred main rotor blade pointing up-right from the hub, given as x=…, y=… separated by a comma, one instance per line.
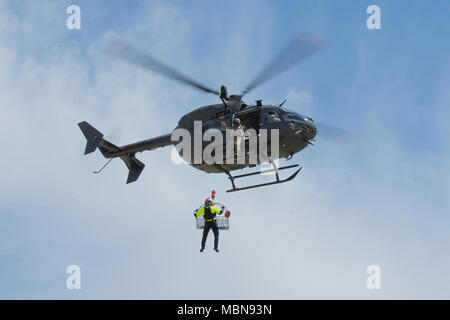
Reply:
x=303, y=46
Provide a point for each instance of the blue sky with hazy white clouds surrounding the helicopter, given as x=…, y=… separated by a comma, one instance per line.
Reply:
x=380, y=198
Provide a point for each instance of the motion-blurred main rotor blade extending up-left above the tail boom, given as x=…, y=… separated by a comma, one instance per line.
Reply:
x=128, y=53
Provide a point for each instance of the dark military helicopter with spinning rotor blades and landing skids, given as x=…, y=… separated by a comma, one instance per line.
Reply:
x=295, y=130
